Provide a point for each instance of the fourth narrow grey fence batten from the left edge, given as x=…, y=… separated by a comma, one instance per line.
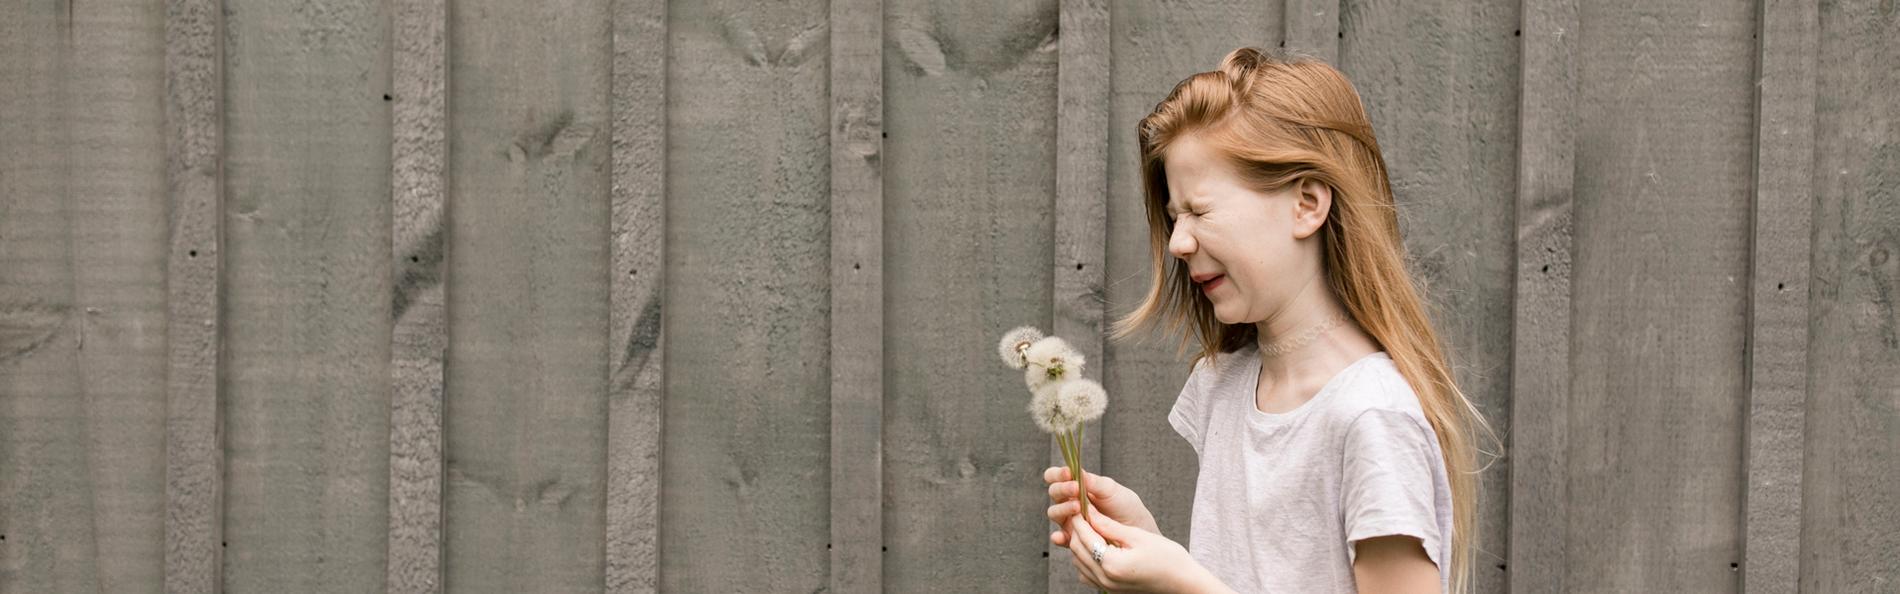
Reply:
x=856, y=297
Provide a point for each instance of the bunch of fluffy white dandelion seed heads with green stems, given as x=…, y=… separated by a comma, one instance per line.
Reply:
x=1061, y=401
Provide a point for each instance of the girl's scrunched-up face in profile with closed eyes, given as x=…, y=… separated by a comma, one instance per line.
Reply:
x=1244, y=248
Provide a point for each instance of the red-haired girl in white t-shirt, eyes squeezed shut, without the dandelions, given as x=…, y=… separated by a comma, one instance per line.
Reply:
x=1337, y=451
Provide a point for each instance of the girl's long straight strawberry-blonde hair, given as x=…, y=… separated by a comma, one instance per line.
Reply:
x=1282, y=122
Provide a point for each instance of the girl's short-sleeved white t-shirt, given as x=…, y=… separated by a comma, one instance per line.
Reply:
x=1282, y=498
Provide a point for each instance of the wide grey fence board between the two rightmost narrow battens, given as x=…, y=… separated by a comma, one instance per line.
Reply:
x=1663, y=181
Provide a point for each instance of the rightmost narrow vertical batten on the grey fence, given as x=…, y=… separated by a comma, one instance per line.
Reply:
x=1777, y=306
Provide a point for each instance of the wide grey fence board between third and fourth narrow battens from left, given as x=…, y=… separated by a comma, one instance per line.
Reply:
x=748, y=293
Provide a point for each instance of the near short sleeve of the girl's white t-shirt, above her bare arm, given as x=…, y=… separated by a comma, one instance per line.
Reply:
x=1392, y=479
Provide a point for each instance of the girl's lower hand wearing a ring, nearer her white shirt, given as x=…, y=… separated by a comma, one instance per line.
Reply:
x=1139, y=561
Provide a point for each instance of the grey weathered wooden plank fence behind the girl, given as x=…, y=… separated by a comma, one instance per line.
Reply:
x=702, y=297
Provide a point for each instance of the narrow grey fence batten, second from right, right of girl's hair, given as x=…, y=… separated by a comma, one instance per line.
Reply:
x=1542, y=299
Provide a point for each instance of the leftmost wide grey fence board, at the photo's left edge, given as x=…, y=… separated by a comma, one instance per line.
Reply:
x=83, y=299
